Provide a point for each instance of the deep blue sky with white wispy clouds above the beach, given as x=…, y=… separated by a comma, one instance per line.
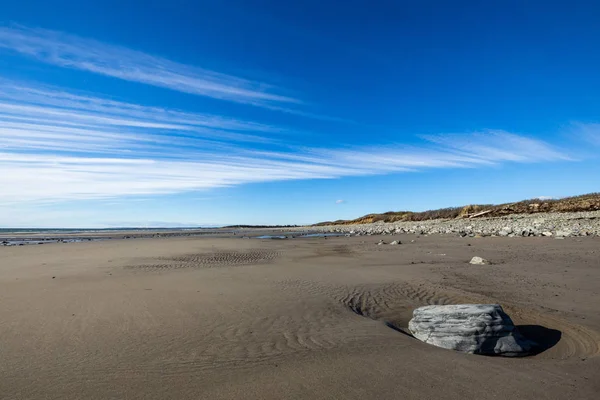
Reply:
x=166, y=113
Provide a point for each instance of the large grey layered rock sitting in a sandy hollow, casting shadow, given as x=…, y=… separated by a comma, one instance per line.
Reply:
x=470, y=328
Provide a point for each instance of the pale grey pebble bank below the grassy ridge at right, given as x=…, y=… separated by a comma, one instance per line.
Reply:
x=539, y=224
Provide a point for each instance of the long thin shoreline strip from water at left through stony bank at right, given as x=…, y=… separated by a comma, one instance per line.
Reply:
x=557, y=225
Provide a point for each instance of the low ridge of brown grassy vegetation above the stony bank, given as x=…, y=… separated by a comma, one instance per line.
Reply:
x=586, y=202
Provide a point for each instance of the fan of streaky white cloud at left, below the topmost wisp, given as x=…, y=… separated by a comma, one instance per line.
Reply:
x=51, y=119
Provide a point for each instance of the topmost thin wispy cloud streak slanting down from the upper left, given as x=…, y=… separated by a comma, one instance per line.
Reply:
x=74, y=52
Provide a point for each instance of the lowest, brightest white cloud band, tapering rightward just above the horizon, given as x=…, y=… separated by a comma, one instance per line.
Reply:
x=43, y=177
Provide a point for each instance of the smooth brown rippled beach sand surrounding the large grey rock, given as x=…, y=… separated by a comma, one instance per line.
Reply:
x=228, y=318
